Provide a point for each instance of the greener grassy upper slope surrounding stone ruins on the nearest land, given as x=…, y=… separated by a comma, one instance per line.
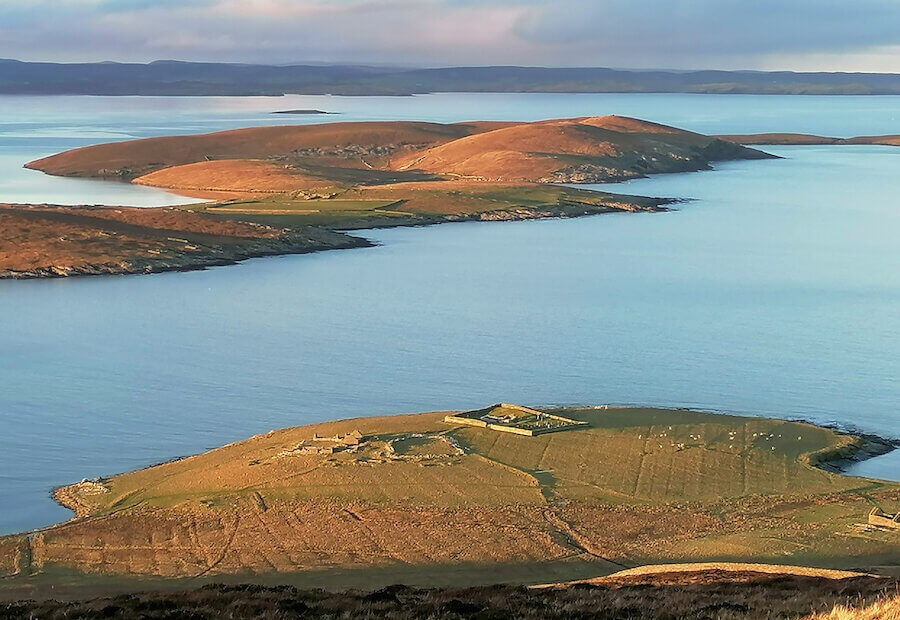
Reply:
x=624, y=455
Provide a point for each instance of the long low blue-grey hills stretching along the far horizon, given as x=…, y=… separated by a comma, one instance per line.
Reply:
x=193, y=78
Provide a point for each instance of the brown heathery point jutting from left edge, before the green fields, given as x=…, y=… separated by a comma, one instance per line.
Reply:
x=62, y=240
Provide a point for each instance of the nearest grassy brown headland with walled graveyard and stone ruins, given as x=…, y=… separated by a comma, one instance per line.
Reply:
x=430, y=501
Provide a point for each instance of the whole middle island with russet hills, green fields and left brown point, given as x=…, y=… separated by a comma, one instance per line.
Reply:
x=280, y=190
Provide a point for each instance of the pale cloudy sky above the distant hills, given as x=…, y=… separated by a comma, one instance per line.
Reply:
x=813, y=35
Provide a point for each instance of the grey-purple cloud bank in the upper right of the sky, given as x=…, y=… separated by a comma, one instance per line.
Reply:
x=715, y=26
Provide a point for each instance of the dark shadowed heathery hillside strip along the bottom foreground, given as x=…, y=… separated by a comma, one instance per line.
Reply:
x=715, y=594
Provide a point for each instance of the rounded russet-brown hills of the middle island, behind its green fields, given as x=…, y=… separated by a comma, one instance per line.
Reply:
x=576, y=150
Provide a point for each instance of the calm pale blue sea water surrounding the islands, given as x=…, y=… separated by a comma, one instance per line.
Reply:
x=776, y=291
